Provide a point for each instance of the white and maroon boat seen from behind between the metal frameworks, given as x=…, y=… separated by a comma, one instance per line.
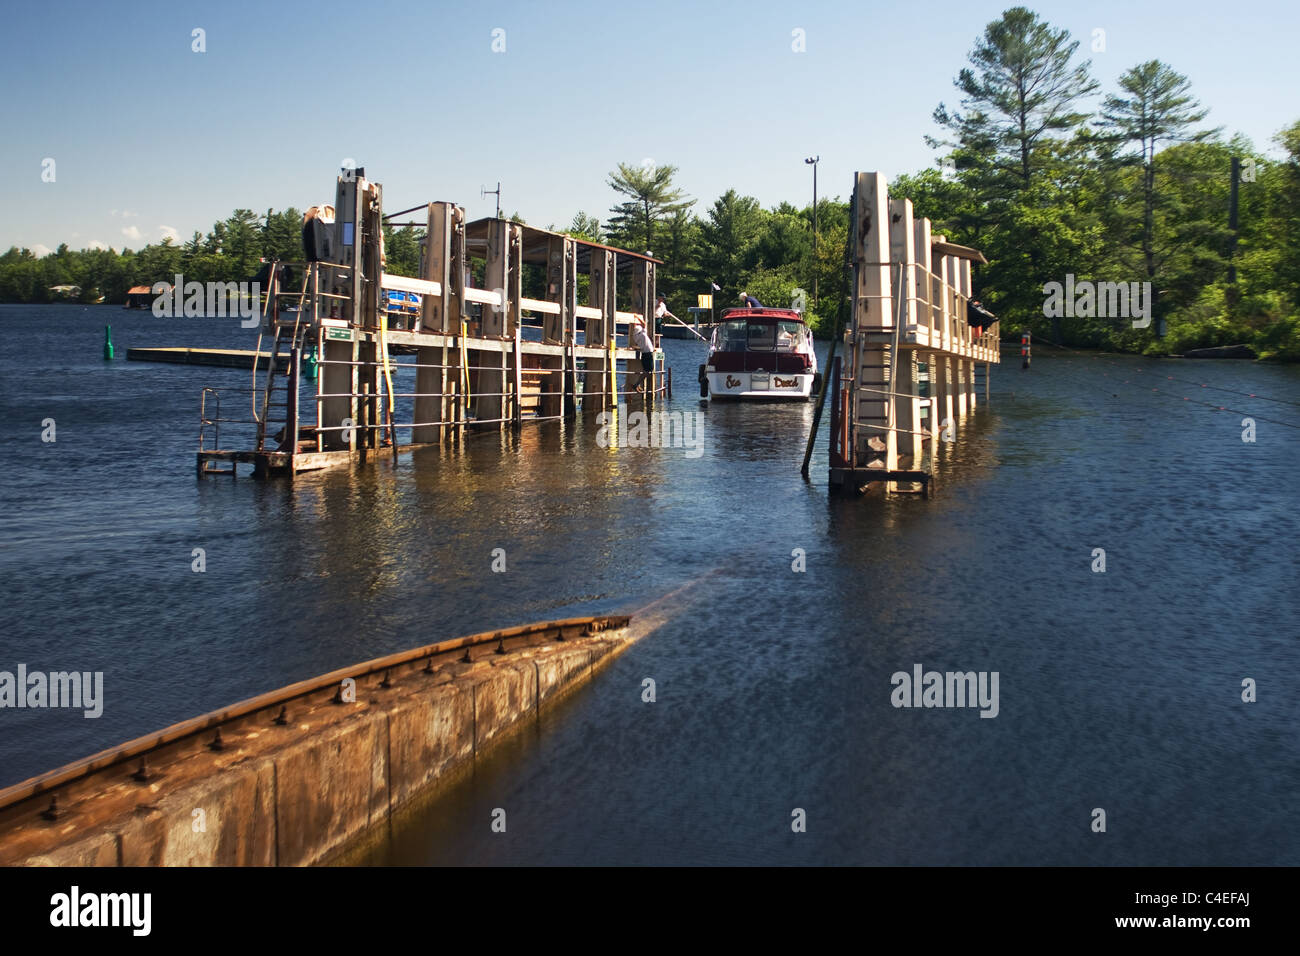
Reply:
x=760, y=354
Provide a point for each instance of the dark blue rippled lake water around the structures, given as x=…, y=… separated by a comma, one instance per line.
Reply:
x=1117, y=691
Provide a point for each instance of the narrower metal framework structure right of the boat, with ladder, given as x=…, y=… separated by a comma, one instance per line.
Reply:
x=911, y=291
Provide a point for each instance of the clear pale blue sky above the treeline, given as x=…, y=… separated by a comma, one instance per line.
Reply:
x=439, y=101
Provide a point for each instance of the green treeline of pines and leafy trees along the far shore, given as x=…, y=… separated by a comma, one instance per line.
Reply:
x=1039, y=168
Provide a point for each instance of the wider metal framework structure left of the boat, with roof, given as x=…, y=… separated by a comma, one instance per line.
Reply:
x=406, y=362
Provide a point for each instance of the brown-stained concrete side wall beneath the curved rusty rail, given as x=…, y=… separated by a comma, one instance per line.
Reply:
x=337, y=778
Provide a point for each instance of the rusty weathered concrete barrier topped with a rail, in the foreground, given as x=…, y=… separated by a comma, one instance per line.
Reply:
x=297, y=776
